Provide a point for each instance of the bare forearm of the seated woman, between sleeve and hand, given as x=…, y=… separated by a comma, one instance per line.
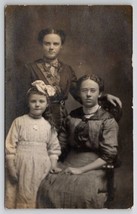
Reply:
x=98, y=163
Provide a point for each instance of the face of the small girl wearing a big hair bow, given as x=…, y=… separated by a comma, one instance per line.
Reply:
x=37, y=104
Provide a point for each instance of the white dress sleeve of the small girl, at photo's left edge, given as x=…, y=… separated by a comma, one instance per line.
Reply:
x=12, y=140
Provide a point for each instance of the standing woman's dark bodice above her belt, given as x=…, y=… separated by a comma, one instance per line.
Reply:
x=64, y=81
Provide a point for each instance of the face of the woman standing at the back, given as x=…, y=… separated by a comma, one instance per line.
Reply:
x=51, y=46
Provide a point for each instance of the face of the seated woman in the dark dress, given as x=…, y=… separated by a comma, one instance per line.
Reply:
x=89, y=93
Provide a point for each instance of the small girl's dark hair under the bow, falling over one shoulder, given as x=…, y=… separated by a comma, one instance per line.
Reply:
x=47, y=114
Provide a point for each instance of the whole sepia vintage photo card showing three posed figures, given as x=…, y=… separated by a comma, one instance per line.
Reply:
x=68, y=107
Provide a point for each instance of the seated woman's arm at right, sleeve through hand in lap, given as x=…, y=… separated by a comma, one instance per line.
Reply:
x=107, y=147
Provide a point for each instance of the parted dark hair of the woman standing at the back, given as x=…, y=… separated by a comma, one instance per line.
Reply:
x=47, y=31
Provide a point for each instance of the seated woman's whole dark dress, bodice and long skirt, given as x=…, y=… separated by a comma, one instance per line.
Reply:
x=85, y=139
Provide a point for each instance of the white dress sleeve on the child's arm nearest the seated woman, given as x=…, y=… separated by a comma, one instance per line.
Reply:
x=54, y=149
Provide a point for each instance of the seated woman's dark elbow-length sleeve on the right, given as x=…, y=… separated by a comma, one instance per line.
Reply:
x=109, y=142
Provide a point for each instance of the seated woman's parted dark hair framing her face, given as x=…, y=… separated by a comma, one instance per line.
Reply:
x=93, y=77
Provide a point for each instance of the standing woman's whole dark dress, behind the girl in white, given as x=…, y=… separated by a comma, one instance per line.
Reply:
x=64, y=81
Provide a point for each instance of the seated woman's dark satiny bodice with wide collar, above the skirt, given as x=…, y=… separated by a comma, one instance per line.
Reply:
x=97, y=133
